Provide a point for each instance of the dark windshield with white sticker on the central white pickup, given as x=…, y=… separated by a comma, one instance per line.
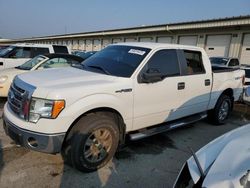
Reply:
x=116, y=60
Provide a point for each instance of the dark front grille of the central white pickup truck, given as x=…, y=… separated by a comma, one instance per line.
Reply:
x=17, y=99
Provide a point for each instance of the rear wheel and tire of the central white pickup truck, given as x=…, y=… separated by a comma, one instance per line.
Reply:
x=221, y=111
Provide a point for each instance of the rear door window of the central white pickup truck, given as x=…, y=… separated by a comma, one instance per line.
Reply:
x=194, y=62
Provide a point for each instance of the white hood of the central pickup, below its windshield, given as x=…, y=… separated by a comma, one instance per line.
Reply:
x=59, y=81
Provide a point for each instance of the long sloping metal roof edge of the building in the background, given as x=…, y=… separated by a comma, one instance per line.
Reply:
x=209, y=23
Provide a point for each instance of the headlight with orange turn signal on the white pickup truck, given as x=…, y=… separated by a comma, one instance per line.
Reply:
x=43, y=108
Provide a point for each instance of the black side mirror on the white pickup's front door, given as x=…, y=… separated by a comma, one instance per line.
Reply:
x=150, y=76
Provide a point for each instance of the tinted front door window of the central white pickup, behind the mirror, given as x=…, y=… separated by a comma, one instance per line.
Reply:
x=164, y=61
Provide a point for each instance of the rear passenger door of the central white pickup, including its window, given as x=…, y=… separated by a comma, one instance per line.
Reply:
x=197, y=81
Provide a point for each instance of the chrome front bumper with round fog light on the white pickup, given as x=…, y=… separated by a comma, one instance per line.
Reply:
x=47, y=143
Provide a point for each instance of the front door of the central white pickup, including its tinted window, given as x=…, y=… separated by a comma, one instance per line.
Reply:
x=155, y=102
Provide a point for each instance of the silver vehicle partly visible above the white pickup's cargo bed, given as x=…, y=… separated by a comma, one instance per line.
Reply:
x=225, y=62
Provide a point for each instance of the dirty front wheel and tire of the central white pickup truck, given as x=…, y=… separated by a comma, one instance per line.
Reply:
x=92, y=142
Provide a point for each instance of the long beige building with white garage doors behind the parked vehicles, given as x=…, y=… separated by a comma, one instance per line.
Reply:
x=225, y=37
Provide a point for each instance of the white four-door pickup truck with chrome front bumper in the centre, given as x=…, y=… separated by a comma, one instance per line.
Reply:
x=129, y=90
